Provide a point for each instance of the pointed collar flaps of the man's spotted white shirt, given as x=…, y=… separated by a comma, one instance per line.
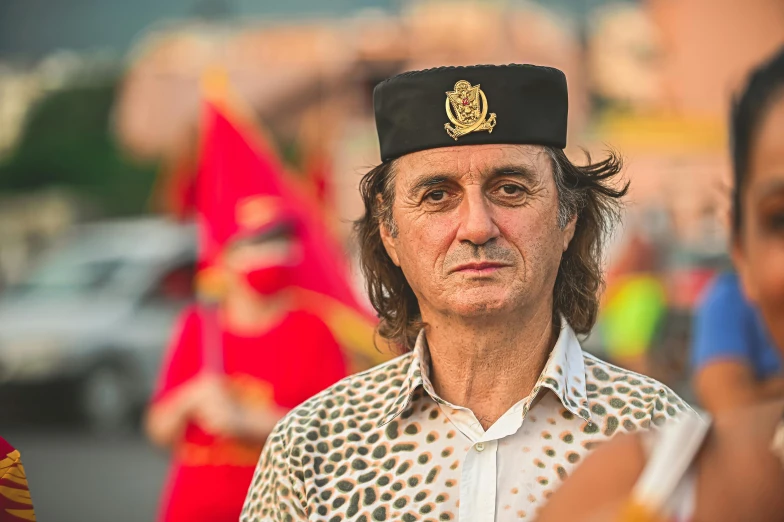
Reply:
x=564, y=374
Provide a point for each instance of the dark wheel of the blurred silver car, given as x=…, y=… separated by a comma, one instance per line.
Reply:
x=106, y=400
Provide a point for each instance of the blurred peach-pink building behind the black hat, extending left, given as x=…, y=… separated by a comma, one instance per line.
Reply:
x=311, y=81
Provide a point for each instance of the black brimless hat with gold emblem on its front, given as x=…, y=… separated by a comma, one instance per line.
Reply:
x=447, y=106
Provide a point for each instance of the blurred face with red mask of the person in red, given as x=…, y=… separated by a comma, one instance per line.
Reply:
x=263, y=264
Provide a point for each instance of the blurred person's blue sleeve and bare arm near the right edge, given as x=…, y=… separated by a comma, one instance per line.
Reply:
x=733, y=357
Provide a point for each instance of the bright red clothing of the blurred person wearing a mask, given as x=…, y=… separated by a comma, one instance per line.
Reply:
x=298, y=358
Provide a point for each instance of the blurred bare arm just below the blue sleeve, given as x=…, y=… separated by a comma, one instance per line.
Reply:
x=726, y=385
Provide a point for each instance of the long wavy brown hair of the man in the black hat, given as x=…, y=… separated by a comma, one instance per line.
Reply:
x=591, y=192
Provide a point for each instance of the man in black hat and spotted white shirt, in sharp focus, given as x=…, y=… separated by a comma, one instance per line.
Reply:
x=481, y=244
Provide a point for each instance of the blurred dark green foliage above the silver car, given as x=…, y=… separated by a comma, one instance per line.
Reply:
x=67, y=142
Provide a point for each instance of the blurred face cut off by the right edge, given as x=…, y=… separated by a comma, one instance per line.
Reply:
x=759, y=247
